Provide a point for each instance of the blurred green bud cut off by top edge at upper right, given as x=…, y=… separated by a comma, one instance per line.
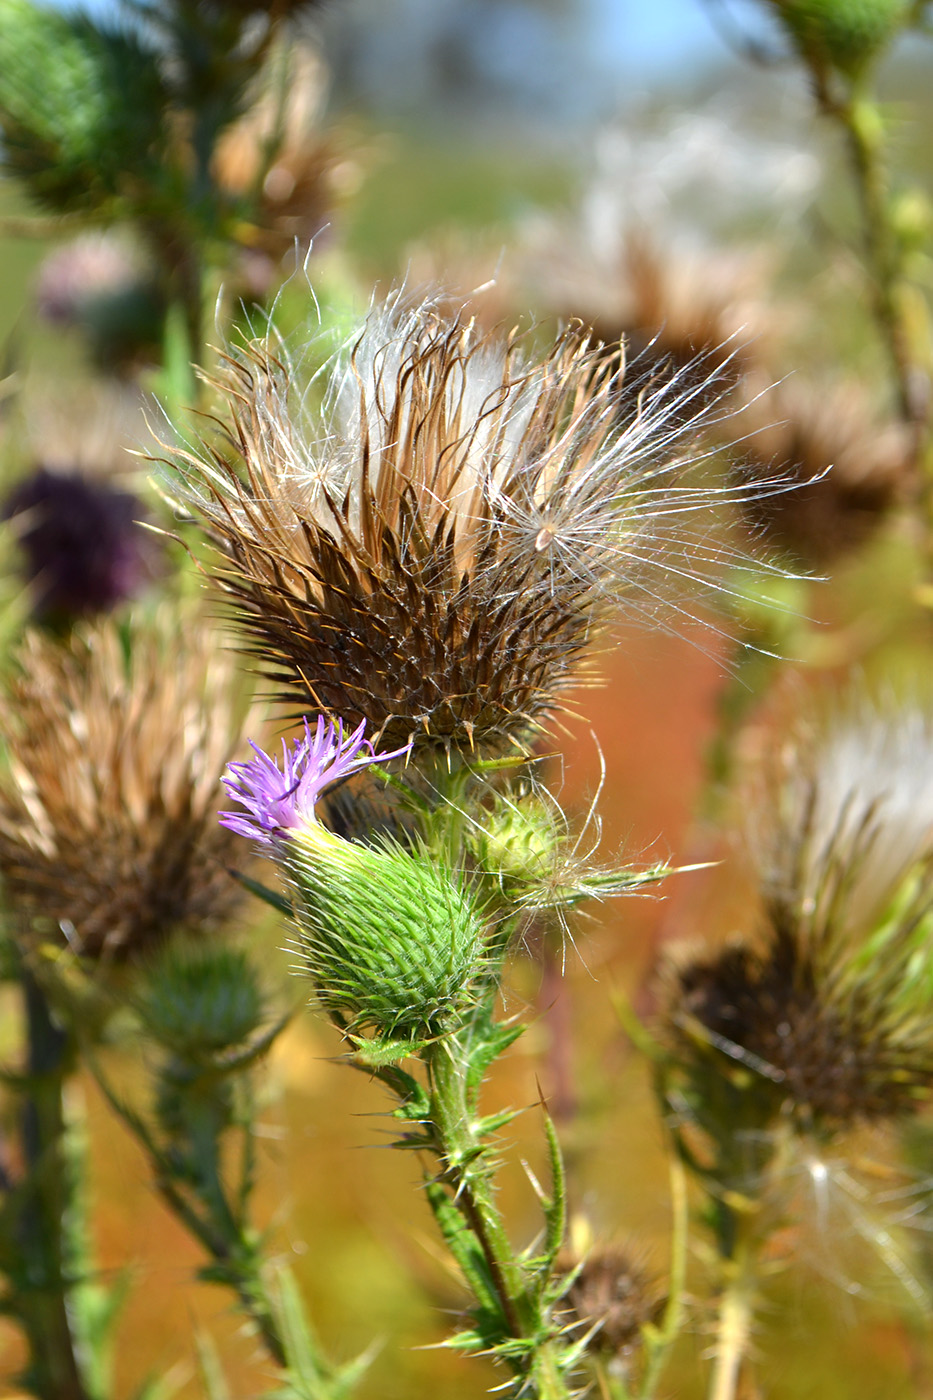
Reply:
x=841, y=34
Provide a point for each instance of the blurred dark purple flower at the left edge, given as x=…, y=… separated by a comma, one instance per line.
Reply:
x=85, y=549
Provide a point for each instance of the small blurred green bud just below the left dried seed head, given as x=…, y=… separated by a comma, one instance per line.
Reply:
x=198, y=1002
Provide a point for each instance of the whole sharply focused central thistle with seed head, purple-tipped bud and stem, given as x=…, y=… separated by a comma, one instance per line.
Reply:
x=434, y=555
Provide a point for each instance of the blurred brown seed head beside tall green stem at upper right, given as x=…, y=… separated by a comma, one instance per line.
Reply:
x=851, y=470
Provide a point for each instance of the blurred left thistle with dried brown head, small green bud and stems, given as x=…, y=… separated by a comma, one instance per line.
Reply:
x=110, y=849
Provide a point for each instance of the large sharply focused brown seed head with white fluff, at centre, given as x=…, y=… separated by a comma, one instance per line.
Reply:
x=438, y=555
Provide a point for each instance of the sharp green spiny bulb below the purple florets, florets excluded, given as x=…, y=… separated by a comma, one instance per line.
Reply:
x=389, y=940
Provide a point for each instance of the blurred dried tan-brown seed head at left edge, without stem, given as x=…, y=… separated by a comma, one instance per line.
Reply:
x=109, y=808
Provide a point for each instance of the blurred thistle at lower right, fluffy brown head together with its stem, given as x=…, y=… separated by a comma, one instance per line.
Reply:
x=775, y=1049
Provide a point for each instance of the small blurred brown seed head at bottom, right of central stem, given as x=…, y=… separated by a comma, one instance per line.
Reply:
x=613, y=1297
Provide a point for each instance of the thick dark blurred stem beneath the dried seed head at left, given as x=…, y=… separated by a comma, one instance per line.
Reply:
x=58, y=1368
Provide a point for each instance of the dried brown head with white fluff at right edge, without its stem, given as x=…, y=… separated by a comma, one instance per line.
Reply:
x=830, y=1016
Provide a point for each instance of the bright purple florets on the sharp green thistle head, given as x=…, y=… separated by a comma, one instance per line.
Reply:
x=282, y=799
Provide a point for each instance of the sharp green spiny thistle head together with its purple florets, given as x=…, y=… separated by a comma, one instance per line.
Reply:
x=389, y=939
